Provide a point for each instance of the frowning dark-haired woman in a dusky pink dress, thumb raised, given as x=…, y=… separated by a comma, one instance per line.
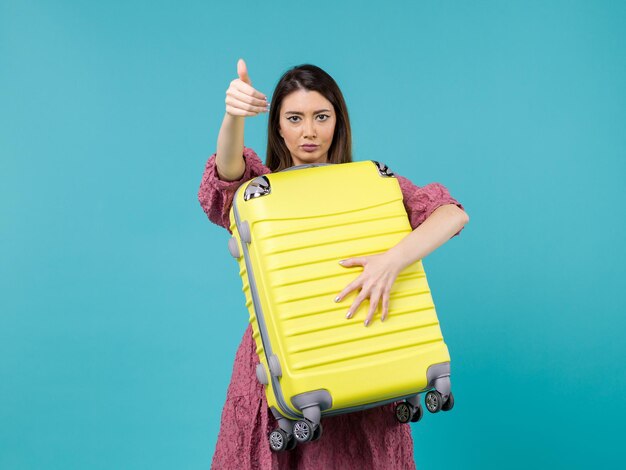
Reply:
x=308, y=123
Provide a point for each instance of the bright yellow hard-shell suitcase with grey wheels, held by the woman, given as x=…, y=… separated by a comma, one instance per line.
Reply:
x=290, y=229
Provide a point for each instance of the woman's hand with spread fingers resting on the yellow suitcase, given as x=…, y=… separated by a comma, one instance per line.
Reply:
x=379, y=274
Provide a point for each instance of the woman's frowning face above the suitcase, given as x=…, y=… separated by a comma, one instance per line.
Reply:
x=307, y=123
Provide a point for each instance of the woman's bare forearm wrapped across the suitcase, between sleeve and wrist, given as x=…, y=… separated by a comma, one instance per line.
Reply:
x=437, y=229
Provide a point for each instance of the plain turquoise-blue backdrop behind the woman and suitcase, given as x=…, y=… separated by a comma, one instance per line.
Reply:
x=121, y=310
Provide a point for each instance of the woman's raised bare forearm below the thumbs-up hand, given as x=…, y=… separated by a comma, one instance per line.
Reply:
x=229, y=159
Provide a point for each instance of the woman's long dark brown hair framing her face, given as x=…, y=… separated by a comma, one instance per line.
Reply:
x=312, y=78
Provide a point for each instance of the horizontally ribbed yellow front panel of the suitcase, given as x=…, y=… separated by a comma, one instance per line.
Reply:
x=319, y=347
